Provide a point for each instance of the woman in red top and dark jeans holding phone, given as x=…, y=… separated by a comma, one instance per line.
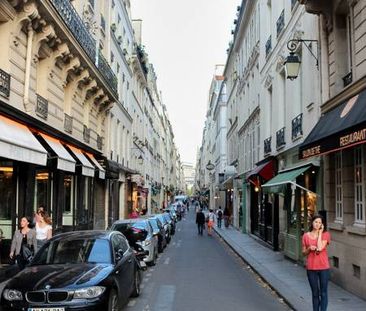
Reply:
x=314, y=246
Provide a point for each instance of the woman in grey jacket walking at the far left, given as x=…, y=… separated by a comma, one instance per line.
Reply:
x=23, y=244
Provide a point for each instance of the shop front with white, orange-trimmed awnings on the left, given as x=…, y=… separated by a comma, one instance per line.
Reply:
x=40, y=170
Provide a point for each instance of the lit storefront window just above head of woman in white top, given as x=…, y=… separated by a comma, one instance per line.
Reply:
x=42, y=191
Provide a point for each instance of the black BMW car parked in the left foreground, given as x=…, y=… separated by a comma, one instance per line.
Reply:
x=80, y=270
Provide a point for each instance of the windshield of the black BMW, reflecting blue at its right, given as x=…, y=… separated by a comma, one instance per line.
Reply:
x=74, y=251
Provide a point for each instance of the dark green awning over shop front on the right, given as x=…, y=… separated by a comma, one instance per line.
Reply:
x=279, y=182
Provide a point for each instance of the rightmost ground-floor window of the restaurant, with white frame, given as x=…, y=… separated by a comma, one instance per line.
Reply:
x=359, y=189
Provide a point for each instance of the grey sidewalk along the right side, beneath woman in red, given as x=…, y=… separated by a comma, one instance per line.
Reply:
x=287, y=278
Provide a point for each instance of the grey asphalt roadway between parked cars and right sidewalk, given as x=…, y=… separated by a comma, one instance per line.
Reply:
x=201, y=273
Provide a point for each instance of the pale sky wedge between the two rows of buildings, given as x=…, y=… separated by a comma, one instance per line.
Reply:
x=184, y=41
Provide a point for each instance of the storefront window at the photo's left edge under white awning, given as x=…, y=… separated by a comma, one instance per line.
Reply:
x=7, y=195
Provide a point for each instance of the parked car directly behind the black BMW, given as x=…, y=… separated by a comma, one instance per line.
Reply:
x=139, y=231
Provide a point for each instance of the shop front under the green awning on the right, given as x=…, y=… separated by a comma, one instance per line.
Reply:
x=294, y=191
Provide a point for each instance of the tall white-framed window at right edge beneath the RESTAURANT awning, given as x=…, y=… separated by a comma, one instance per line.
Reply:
x=359, y=187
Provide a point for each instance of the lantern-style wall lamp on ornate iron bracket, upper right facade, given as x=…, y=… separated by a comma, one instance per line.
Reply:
x=292, y=63
